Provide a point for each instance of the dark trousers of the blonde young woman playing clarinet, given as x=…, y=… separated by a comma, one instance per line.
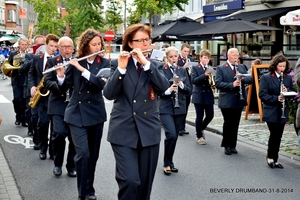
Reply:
x=171, y=124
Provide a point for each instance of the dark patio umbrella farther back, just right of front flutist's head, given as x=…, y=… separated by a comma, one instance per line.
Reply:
x=174, y=30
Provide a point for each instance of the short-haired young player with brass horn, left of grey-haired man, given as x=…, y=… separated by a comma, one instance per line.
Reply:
x=203, y=97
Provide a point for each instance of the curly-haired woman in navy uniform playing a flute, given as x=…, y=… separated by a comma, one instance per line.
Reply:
x=85, y=112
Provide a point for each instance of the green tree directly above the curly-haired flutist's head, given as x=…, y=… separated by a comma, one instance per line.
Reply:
x=83, y=15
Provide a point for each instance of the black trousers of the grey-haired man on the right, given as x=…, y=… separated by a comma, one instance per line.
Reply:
x=231, y=123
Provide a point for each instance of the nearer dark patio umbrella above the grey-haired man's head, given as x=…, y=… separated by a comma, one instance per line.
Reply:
x=230, y=26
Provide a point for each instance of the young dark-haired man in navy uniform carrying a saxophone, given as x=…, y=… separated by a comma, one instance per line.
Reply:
x=34, y=78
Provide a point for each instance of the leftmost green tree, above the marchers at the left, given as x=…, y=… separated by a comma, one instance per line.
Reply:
x=49, y=19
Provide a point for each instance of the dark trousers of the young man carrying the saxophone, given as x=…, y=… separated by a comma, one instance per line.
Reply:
x=43, y=127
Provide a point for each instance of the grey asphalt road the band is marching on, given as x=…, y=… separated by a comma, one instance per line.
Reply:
x=205, y=172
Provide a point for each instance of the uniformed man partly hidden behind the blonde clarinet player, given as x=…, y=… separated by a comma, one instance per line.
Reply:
x=183, y=61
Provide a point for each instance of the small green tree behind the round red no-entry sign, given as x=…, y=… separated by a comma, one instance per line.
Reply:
x=113, y=15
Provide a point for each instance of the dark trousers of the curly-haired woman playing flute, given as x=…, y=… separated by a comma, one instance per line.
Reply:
x=87, y=142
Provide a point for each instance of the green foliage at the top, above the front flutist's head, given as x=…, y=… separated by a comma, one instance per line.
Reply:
x=150, y=8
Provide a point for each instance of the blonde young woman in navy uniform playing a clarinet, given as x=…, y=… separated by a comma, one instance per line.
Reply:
x=172, y=106
